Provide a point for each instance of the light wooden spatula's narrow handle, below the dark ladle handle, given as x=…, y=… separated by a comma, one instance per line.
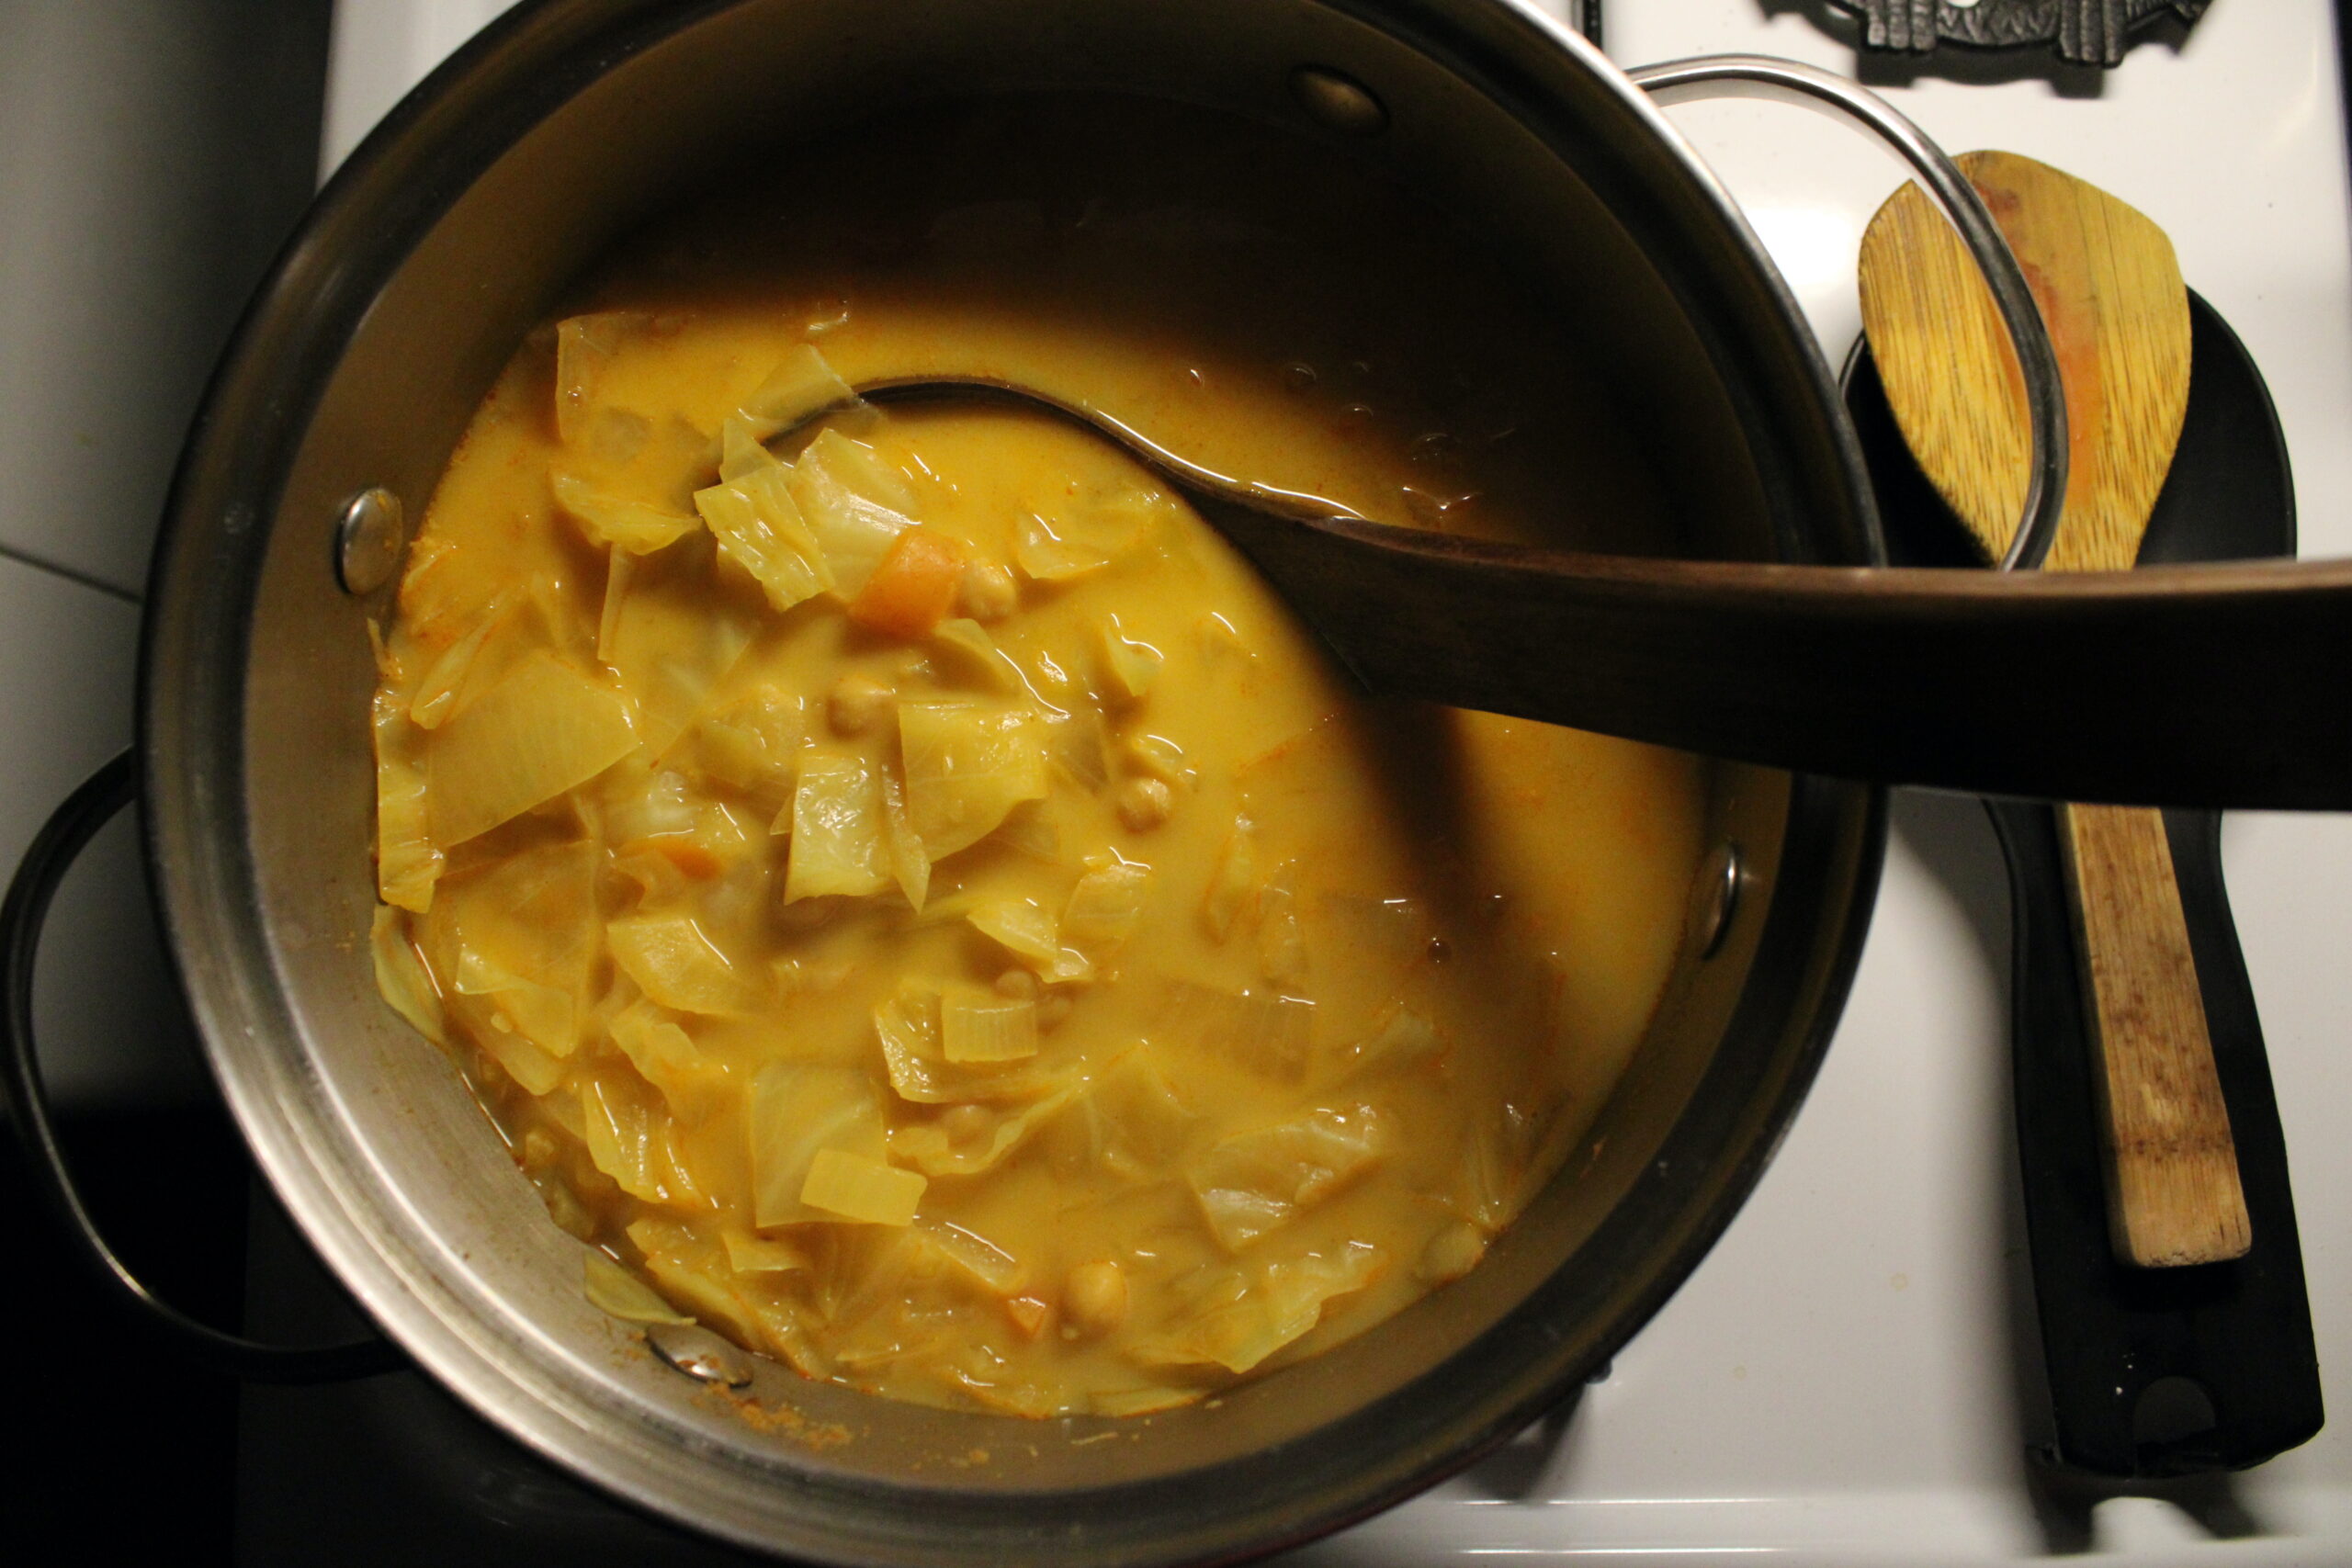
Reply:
x=2172, y=1167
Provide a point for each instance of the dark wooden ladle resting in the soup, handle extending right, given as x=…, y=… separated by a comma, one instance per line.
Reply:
x=2167, y=688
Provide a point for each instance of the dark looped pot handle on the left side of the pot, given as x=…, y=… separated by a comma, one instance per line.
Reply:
x=22, y=920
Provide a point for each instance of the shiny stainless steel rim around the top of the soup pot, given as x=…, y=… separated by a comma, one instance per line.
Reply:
x=201, y=594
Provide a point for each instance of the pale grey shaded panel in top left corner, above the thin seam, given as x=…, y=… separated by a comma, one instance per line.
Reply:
x=126, y=250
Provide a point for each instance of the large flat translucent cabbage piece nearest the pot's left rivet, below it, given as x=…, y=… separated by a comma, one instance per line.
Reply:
x=540, y=732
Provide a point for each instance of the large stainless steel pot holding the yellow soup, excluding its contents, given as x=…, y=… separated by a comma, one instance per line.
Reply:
x=356, y=370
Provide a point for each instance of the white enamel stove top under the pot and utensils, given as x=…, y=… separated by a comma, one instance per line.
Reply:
x=1840, y=1381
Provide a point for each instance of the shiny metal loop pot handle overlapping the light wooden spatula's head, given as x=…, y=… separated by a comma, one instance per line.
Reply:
x=1784, y=81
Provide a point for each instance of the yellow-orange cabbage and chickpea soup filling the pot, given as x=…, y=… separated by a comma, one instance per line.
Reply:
x=902, y=885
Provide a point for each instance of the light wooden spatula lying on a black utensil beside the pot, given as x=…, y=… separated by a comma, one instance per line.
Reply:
x=2118, y=316
